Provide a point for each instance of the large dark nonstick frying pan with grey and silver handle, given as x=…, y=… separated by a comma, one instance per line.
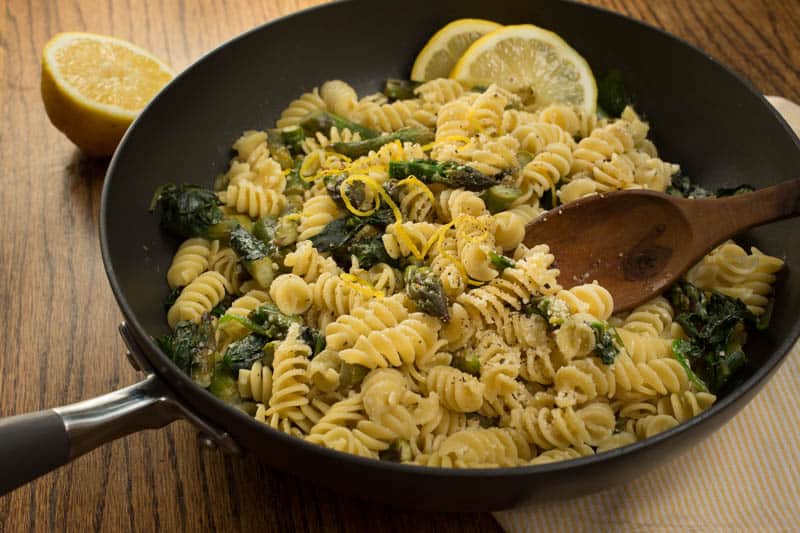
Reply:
x=714, y=123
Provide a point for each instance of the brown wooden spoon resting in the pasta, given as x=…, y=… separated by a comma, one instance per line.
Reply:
x=636, y=243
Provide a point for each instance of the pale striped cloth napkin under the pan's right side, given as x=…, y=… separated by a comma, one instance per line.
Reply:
x=744, y=477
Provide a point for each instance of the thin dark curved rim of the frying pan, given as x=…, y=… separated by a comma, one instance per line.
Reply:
x=170, y=373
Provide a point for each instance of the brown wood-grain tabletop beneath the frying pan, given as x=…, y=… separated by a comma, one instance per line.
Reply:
x=59, y=343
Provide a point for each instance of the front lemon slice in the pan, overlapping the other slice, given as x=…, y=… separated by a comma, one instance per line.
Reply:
x=530, y=61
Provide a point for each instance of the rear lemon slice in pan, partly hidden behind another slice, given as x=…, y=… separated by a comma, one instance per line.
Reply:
x=441, y=52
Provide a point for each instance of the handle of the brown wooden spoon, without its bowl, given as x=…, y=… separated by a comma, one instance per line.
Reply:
x=715, y=220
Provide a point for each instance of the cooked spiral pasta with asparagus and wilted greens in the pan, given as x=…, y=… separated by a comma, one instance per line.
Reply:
x=405, y=318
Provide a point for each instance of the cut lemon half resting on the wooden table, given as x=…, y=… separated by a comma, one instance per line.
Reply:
x=93, y=87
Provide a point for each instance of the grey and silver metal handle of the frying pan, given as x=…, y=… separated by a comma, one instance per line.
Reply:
x=36, y=443
